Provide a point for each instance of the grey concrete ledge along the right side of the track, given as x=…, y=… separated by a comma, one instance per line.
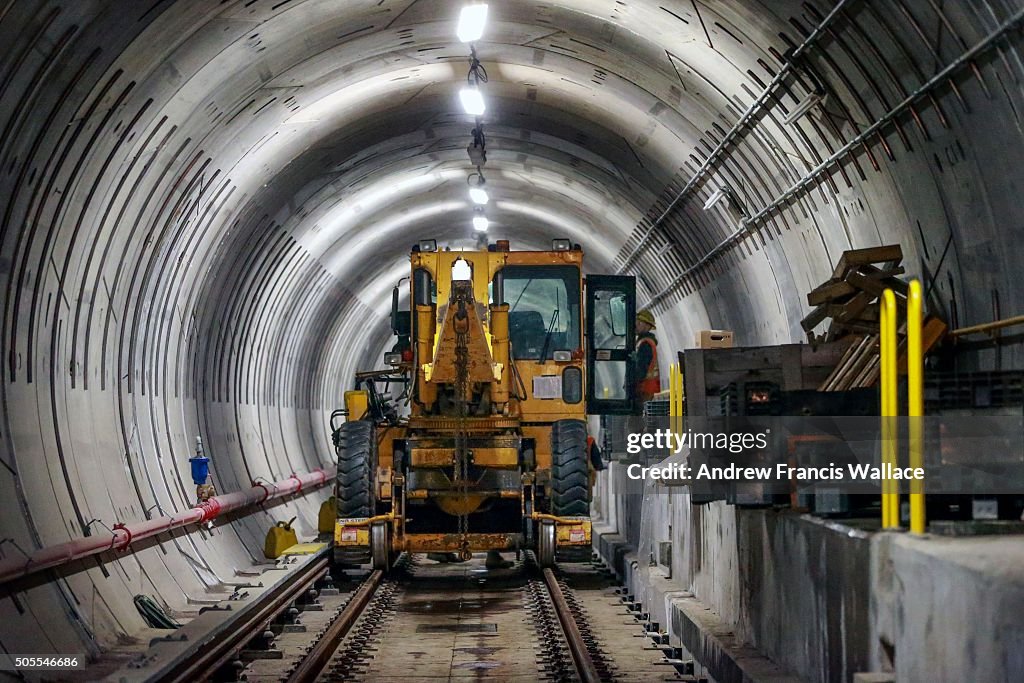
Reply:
x=774, y=595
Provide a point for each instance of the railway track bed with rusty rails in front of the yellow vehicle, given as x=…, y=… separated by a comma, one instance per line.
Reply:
x=431, y=621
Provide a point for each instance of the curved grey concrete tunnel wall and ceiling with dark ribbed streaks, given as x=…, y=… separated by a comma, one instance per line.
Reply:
x=205, y=205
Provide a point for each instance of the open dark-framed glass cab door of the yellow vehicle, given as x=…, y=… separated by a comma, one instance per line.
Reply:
x=611, y=345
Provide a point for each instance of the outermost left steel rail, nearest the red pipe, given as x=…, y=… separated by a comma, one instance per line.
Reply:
x=208, y=657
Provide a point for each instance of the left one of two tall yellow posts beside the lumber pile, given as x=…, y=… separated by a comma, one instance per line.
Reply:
x=890, y=407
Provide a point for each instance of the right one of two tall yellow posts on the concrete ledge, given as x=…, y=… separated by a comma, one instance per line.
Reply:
x=916, y=403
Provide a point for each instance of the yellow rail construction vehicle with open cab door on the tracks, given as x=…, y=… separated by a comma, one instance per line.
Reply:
x=500, y=358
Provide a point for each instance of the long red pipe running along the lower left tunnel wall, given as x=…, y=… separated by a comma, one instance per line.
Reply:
x=123, y=535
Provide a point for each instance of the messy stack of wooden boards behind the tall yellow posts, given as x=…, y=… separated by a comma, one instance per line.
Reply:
x=850, y=301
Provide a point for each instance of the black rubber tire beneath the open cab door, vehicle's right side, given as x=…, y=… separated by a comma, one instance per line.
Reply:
x=570, y=469
